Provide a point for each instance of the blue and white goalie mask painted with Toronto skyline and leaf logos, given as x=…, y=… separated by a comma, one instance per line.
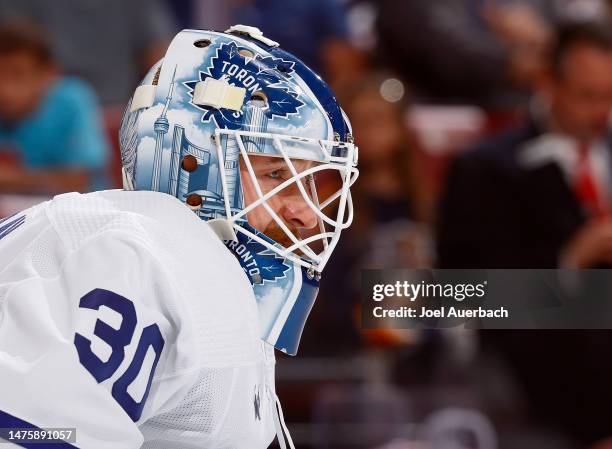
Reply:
x=254, y=142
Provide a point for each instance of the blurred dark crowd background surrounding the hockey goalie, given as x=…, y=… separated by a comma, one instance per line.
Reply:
x=484, y=136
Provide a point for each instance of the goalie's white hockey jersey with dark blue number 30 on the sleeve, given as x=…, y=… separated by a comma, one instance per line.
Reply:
x=124, y=316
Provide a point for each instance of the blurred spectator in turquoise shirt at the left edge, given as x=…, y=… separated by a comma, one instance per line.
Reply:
x=50, y=136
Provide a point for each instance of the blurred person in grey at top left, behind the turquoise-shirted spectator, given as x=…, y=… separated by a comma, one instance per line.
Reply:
x=110, y=43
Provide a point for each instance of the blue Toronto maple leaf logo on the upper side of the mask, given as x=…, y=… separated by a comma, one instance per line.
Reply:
x=257, y=73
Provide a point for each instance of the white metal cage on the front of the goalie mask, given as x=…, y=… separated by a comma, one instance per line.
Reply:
x=301, y=162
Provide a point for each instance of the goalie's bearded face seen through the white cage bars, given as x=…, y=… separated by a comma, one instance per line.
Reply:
x=288, y=204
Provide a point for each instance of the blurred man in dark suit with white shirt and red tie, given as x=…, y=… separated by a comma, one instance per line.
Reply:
x=540, y=196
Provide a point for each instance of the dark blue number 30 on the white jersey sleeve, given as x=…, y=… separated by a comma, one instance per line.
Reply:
x=118, y=339
